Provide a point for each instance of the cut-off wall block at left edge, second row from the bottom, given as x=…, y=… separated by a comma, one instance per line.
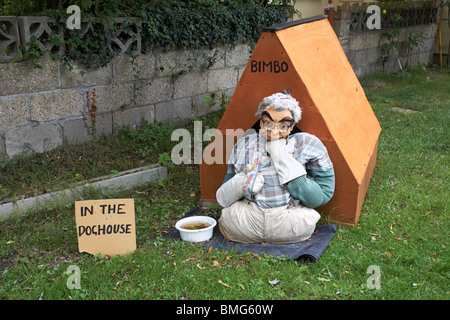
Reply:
x=13, y=112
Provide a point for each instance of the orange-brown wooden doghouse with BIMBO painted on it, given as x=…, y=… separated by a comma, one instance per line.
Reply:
x=305, y=56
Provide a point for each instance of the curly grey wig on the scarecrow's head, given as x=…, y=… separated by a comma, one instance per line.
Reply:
x=279, y=102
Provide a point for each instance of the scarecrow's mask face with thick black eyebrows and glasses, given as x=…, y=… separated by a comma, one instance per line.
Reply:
x=277, y=124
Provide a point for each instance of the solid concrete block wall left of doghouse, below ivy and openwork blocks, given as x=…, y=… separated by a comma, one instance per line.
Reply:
x=39, y=108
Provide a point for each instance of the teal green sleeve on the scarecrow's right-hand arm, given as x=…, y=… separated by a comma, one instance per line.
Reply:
x=313, y=190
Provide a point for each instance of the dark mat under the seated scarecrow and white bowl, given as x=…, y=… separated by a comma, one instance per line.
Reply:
x=308, y=251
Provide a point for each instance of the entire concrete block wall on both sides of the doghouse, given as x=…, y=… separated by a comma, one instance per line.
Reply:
x=40, y=108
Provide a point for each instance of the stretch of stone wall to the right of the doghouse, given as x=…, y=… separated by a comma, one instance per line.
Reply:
x=363, y=45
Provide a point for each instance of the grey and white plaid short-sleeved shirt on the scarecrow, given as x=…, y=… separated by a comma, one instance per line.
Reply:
x=309, y=151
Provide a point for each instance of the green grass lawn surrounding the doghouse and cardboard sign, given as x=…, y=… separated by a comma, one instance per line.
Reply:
x=403, y=229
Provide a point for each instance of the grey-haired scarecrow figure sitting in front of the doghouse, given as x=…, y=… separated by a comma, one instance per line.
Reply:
x=275, y=179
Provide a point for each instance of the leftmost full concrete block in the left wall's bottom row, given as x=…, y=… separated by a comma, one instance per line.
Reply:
x=38, y=138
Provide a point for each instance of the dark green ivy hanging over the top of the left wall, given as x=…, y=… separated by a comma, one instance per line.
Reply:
x=168, y=24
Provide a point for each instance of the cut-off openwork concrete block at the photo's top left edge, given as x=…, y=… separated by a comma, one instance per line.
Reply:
x=9, y=39
